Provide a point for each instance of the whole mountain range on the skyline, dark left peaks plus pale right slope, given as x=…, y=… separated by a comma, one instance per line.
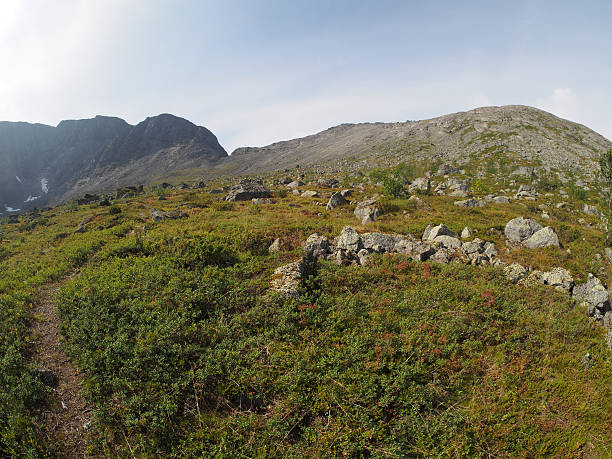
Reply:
x=41, y=164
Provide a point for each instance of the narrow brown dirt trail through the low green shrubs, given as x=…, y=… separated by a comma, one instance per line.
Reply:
x=69, y=413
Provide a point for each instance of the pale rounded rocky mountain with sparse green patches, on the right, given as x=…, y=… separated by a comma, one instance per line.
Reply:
x=529, y=133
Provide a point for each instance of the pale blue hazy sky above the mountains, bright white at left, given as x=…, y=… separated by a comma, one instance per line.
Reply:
x=256, y=72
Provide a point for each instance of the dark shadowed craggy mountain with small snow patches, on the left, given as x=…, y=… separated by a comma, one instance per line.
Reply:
x=42, y=164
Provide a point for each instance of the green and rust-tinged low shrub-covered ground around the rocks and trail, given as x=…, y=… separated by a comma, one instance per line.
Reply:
x=185, y=352
